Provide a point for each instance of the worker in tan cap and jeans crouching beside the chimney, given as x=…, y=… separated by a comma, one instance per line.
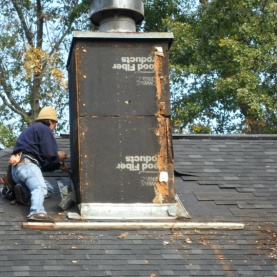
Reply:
x=37, y=151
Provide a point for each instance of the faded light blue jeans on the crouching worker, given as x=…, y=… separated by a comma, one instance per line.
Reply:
x=29, y=174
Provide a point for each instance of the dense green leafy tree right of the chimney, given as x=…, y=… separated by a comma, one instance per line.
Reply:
x=224, y=66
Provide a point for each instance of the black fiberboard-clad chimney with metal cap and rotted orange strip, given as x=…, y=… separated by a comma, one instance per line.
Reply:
x=120, y=130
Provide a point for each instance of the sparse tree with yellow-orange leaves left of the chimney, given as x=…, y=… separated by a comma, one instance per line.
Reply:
x=33, y=42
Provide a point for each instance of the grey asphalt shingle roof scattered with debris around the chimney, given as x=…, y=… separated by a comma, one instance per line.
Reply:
x=218, y=179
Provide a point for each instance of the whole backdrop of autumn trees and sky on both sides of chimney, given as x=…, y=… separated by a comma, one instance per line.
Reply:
x=223, y=61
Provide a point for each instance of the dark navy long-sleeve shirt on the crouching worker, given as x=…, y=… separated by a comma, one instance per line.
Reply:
x=38, y=140
